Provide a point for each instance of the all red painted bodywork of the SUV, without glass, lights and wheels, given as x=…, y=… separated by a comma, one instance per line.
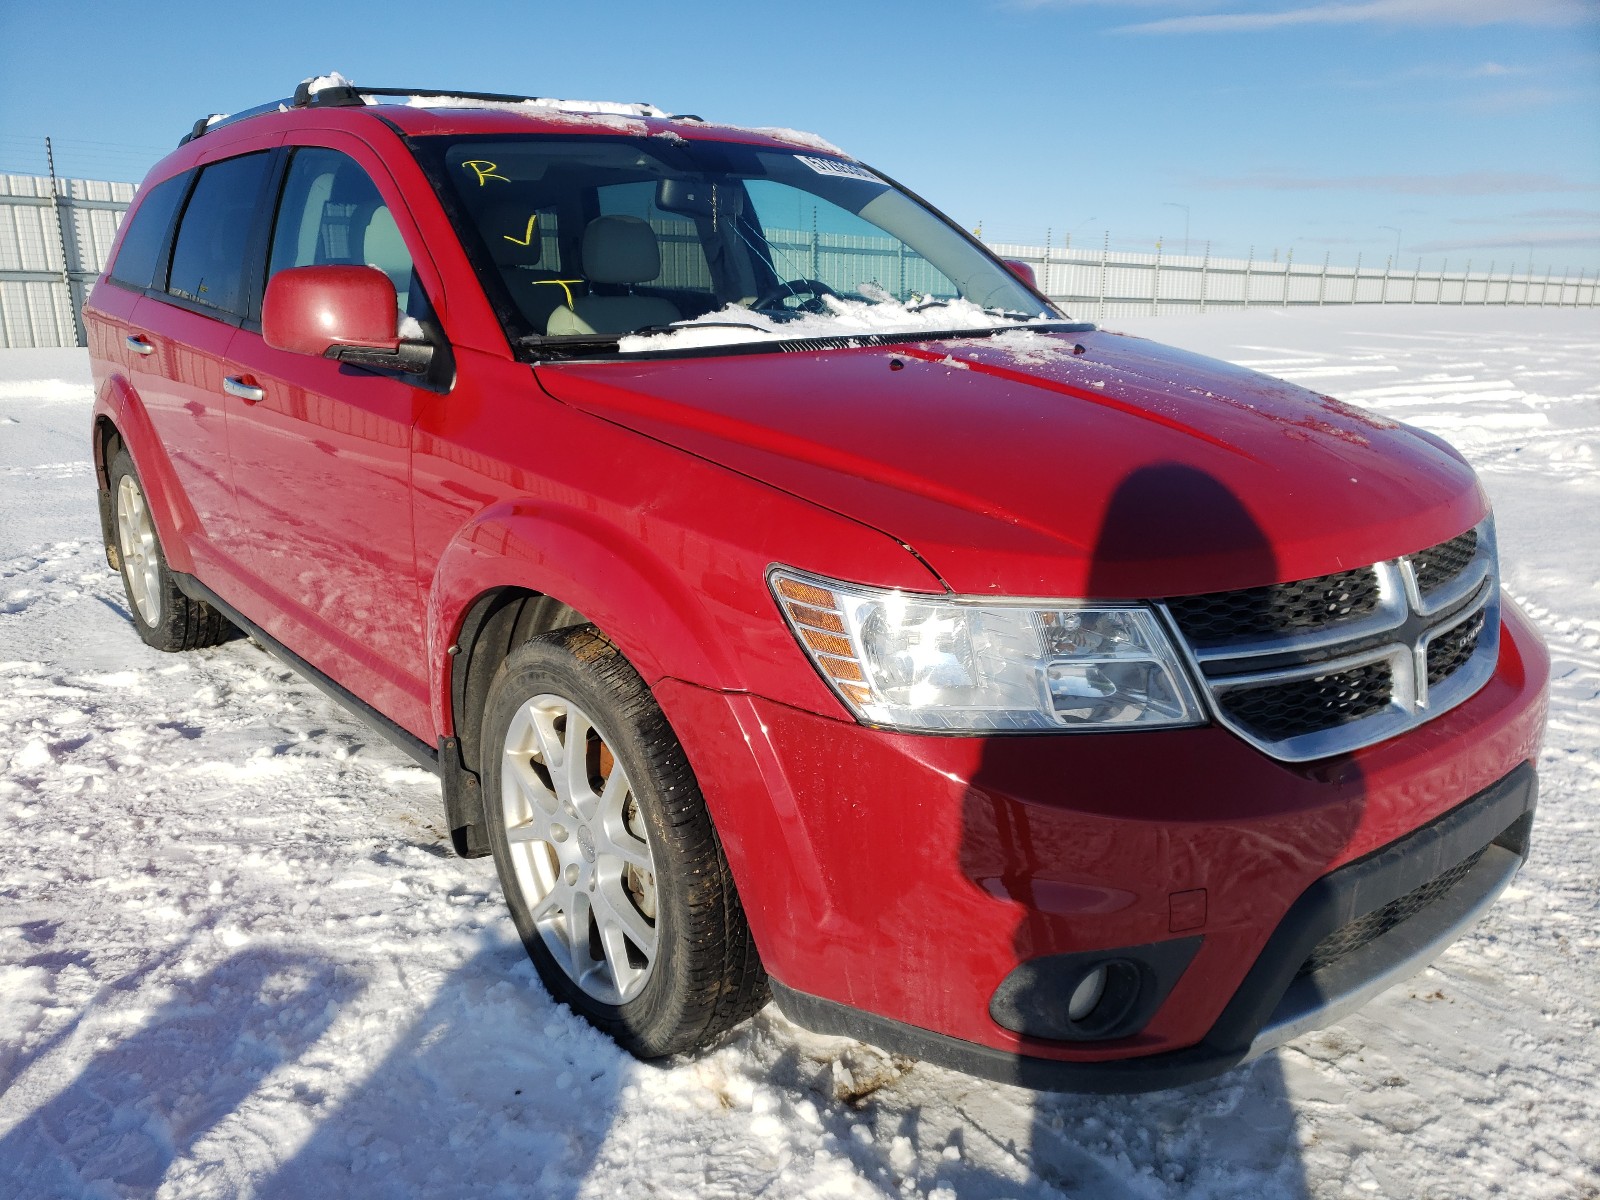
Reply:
x=359, y=518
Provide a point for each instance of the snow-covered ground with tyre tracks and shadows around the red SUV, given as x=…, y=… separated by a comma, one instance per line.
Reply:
x=238, y=958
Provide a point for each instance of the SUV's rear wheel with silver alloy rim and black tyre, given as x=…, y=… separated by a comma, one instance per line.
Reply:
x=166, y=618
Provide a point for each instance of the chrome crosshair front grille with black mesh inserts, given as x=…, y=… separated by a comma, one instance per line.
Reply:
x=1329, y=665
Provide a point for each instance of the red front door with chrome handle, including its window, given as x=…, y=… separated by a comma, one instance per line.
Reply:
x=322, y=452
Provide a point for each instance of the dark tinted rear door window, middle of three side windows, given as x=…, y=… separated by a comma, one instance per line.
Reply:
x=214, y=236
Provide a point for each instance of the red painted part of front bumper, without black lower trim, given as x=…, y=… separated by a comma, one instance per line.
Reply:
x=908, y=876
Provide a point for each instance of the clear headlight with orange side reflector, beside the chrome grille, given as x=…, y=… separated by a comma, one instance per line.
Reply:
x=969, y=666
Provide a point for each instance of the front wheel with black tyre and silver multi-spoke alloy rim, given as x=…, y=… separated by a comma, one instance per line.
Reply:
x=606, y=852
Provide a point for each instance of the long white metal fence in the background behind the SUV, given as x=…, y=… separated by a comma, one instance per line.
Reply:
x=54, y=242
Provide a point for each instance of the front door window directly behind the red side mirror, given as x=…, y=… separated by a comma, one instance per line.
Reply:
x=332, y=214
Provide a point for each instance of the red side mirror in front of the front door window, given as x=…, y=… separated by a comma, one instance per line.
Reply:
x=343, y=313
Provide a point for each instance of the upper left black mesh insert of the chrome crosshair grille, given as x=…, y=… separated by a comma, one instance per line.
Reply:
x=1218, y=618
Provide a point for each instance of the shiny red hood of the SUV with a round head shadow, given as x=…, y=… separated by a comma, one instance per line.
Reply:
x=1074, y=465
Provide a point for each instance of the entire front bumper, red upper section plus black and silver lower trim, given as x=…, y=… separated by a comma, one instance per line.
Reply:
x=895, y=882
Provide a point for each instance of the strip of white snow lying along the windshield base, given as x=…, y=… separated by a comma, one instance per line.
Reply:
x=844, y=319
